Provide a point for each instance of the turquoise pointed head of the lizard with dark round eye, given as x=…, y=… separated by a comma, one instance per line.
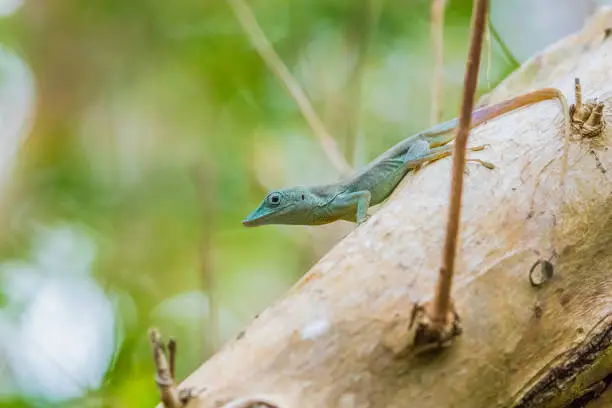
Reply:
x=286, y=206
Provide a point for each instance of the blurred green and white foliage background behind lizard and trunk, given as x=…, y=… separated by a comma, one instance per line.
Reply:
x=136, y=135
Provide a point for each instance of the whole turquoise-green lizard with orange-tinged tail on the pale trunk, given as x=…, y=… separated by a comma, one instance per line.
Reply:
x=350, y=199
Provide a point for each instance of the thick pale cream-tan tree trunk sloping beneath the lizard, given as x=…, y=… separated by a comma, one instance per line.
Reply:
x=340, y=338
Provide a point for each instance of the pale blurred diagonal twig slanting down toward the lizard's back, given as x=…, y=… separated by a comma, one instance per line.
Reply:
x=249, y=24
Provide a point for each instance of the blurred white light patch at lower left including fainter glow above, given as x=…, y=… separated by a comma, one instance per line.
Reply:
x=58, y=327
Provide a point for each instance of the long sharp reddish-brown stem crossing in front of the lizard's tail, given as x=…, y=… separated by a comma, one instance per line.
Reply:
x=442, y=300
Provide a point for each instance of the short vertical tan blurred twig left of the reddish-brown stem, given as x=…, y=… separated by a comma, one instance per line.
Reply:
x=438, y=8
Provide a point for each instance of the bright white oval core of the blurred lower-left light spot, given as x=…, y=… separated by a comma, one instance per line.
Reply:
x=61, y=348
